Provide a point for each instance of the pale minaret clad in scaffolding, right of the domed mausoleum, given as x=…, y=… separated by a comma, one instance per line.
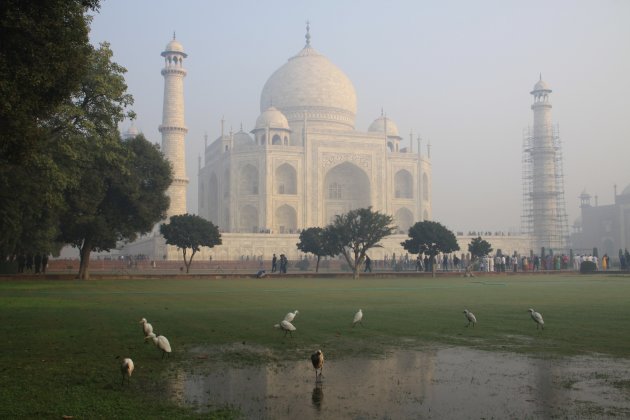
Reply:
x=547, y=191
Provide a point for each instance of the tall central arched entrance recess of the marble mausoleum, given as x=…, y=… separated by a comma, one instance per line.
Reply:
x=346, y=187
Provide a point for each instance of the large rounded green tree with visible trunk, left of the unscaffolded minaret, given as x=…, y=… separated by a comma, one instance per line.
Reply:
x=121, y=196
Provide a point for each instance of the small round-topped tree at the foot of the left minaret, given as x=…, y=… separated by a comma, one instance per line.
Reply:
x=190, y=231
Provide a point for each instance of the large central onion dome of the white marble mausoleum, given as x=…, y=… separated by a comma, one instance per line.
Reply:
x=310, y=86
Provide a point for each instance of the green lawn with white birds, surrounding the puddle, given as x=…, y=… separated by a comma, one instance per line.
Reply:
x=60, y=338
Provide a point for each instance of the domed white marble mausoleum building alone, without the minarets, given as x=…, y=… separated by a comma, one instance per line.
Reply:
x=305, y=162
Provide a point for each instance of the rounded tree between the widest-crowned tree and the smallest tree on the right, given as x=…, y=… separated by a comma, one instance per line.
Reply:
x=430, y=238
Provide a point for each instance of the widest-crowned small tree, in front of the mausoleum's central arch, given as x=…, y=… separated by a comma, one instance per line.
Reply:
x=352, y=234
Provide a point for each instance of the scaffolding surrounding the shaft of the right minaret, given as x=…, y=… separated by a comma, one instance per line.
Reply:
x=557, y=237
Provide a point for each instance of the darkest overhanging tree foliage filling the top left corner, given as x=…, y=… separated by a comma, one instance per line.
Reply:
x=43, y=58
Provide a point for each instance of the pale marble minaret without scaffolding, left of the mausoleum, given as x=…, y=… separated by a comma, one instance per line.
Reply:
x=173, y=128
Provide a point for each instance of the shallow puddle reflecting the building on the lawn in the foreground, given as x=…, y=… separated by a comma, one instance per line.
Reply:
x=437, y=383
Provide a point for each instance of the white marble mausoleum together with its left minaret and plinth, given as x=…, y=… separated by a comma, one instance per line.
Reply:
x=303, y=163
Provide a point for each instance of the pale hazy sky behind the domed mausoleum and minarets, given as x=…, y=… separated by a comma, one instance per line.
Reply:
x=458, y=73
